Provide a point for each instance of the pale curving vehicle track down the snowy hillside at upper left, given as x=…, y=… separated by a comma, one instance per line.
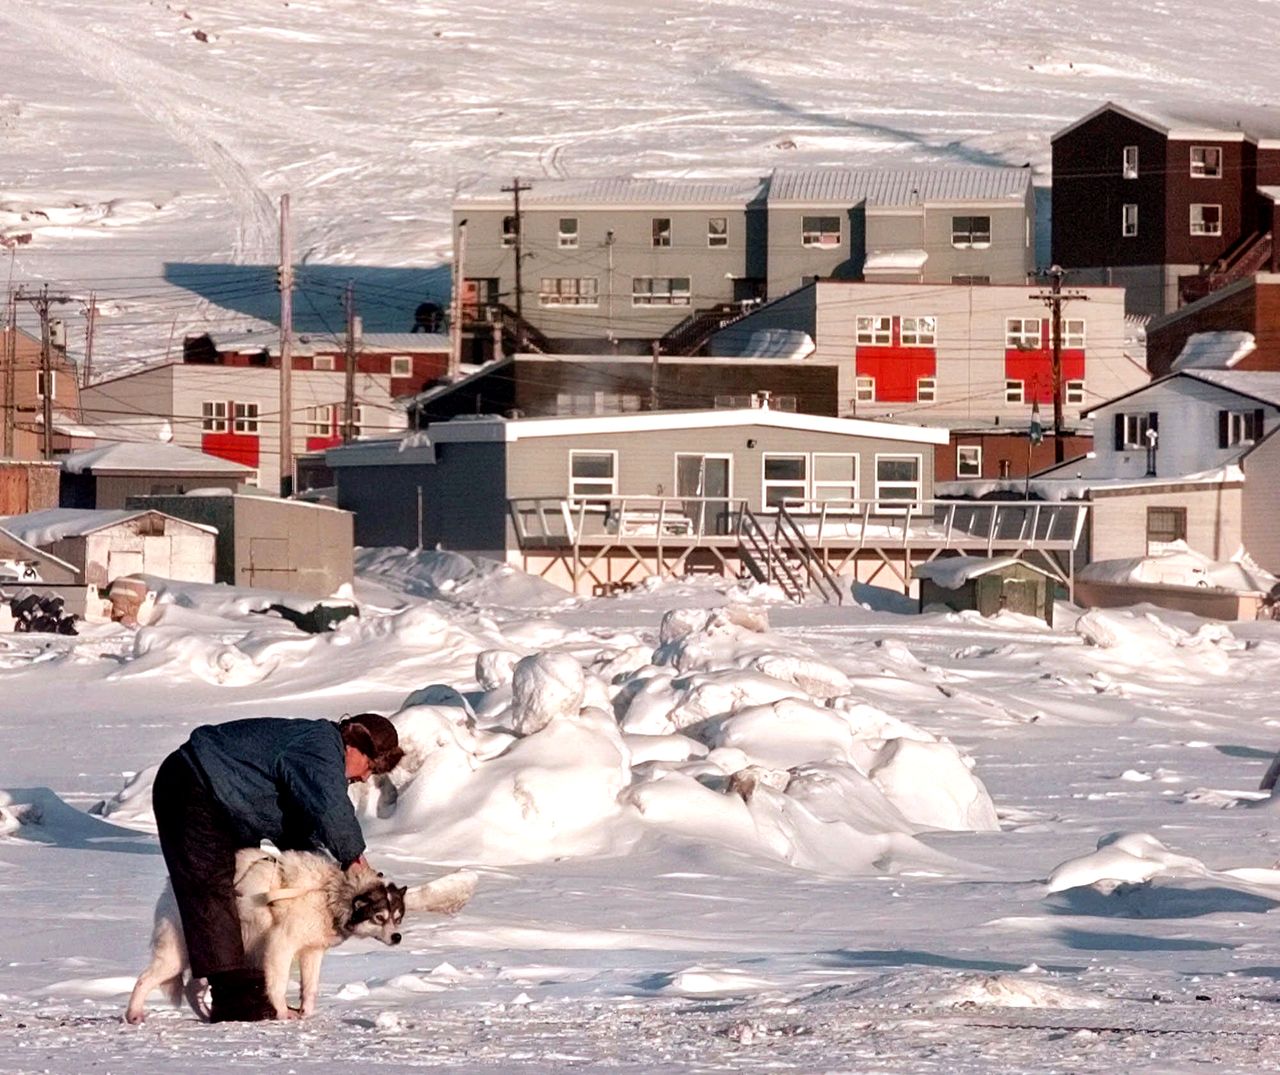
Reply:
x=154, y=92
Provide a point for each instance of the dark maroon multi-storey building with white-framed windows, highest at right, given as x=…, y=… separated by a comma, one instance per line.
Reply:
x=1167, y=209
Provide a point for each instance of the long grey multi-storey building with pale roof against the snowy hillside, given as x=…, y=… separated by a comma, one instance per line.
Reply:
x=629, y=260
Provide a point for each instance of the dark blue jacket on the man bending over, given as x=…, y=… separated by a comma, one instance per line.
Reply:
x=280, y=780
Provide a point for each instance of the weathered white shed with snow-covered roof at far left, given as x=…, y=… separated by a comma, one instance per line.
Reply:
x=106, y=545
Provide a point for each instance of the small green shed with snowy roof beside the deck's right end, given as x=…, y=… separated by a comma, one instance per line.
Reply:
x=988, y=585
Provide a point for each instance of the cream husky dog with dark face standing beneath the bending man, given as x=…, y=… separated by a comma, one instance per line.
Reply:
x=292, y=907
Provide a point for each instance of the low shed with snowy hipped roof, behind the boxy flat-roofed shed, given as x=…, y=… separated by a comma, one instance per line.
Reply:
x=108, y=477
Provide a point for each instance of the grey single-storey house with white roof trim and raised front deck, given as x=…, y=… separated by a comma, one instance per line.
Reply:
x=600, y=504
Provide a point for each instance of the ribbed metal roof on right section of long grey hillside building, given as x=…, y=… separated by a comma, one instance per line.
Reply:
x=888, y=187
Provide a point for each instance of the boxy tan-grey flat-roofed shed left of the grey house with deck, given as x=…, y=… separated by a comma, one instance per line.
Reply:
x=268, y=543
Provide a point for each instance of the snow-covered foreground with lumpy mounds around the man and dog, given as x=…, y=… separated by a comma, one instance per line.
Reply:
x=904, y=876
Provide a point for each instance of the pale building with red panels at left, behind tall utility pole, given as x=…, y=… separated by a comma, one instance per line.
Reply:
x=235, y=413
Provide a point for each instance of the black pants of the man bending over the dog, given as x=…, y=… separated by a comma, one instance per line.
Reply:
x=200, y=847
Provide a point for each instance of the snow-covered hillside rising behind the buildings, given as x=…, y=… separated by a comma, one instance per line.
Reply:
x=147, y=143
